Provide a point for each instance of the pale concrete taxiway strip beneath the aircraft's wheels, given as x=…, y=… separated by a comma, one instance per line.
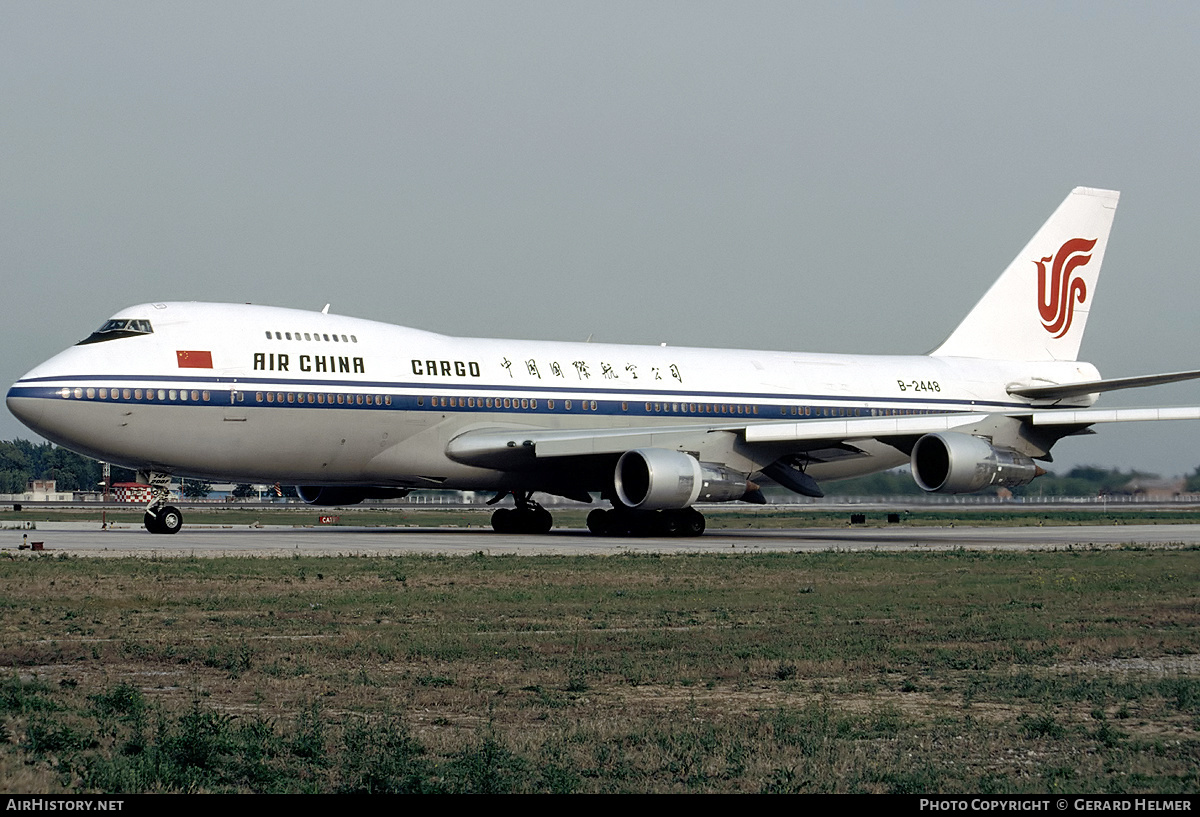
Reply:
x=86, y=540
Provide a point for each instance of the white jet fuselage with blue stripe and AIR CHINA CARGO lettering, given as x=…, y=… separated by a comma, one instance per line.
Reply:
x=262, y=394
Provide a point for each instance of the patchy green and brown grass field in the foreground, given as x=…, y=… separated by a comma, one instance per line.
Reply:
x=957, y=672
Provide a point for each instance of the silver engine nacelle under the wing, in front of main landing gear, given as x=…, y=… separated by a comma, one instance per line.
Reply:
x=657, y=479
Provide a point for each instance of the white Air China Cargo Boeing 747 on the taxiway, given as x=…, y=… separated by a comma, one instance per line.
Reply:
x=352, y=410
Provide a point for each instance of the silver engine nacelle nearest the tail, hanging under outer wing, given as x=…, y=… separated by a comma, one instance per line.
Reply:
x=952, y=462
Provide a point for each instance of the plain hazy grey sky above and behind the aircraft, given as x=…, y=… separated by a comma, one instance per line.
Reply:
x=815, y=177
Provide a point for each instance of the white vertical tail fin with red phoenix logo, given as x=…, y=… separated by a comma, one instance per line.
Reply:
x=1039, y=308
